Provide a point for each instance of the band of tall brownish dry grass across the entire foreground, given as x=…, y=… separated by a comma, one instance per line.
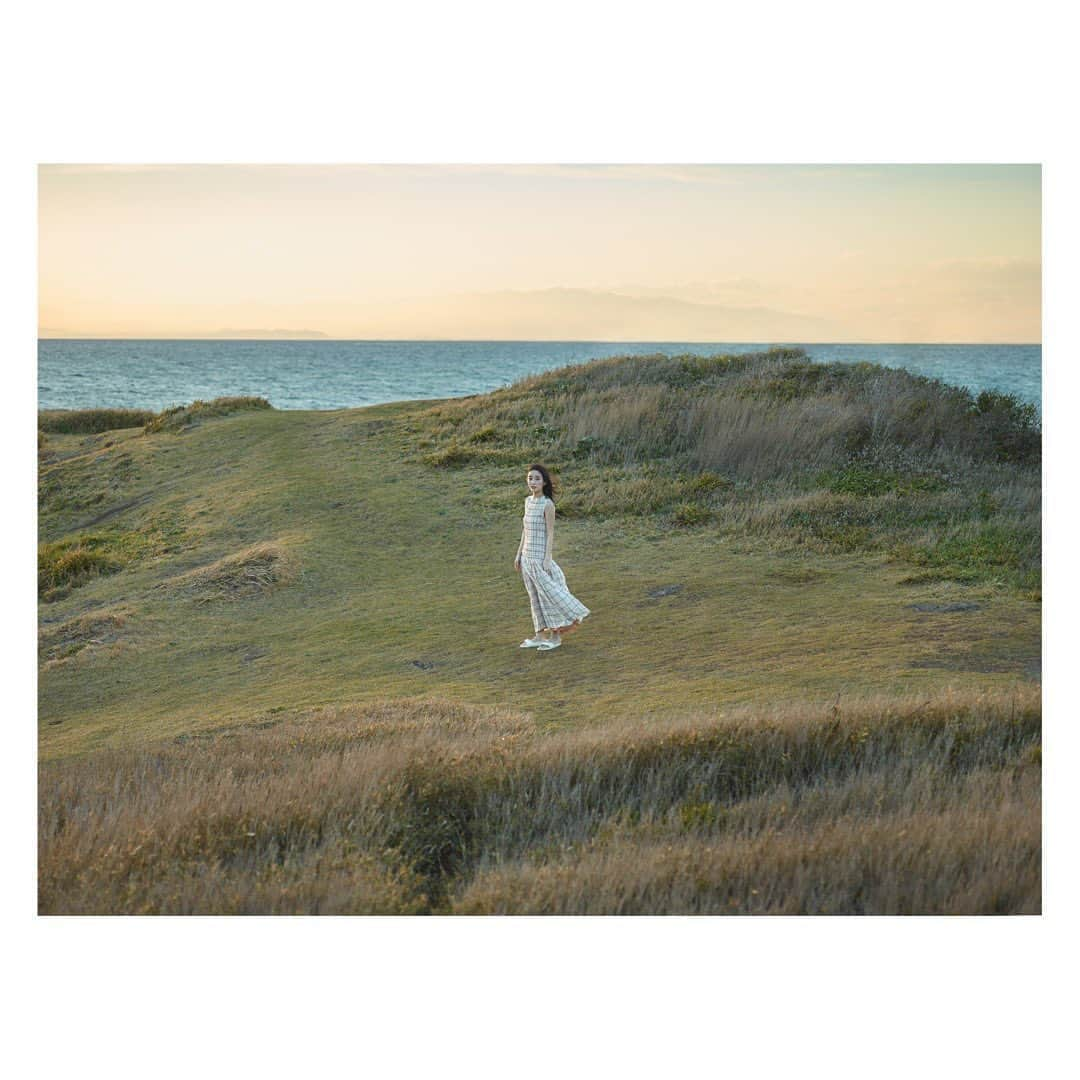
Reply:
x=879, y=807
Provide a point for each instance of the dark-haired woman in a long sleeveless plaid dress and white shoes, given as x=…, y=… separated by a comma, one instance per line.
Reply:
x=556, y=612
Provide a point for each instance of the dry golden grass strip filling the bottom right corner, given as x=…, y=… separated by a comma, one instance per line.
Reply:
x=966, y=852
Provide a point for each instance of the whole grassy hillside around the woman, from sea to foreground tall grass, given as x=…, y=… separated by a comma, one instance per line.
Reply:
x=261, y=563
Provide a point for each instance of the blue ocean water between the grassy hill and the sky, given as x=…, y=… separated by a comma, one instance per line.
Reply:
x=327, y=375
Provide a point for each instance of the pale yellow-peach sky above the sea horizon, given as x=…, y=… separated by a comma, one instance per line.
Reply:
x=668, y=253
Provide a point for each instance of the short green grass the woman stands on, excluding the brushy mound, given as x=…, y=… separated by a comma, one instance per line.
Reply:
x=400, y=579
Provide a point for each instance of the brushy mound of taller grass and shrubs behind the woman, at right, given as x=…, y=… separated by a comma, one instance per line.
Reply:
x=840, y=457
